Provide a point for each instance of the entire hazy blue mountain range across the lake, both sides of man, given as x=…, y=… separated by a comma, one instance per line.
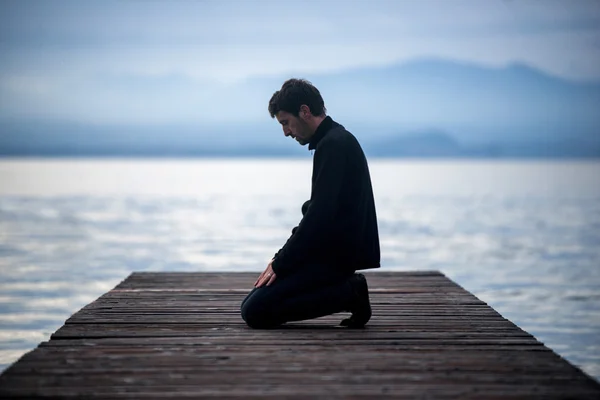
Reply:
x=425, y=108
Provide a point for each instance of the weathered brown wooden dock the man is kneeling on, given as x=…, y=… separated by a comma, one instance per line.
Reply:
x=180, y=335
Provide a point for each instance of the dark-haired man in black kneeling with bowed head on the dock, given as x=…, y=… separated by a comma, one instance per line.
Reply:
x=313, y=274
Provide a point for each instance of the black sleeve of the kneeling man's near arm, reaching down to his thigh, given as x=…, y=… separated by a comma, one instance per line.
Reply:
x=316, y=225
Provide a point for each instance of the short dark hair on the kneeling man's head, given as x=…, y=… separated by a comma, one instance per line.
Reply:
x=293, y=94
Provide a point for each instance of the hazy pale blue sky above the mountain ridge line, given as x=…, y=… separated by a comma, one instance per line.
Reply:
x=80, y=59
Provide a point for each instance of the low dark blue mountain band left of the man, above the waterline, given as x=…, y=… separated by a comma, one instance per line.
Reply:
x=67, y=139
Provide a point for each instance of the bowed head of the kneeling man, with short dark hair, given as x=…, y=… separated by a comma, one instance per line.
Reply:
x=299, y=108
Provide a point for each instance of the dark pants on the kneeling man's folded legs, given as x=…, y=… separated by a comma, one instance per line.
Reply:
x=313, y=291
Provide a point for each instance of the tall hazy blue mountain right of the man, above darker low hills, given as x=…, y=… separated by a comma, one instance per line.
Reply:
x=475, y=103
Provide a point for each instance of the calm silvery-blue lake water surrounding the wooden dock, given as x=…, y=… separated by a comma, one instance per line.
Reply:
x=522, y=236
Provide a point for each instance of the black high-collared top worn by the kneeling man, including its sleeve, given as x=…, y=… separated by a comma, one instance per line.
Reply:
x=339, y=224
